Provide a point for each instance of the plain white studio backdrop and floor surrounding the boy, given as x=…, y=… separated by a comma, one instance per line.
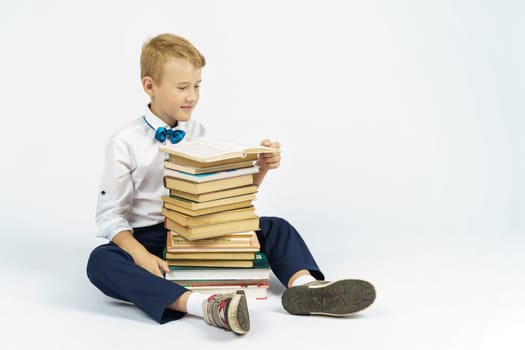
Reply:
x=402, y=130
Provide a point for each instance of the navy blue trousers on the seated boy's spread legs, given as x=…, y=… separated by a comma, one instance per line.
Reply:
x=114, y=272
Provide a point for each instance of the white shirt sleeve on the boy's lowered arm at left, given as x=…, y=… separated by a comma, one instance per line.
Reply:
x=116, y=190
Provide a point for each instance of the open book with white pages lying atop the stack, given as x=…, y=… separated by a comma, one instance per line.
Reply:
x=206, y=150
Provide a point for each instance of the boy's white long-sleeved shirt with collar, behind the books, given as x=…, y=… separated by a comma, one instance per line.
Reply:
x=131, y=186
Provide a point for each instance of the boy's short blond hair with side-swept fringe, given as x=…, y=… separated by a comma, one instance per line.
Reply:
x=158, y=50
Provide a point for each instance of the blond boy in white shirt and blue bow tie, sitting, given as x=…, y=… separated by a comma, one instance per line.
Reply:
x=130, y=266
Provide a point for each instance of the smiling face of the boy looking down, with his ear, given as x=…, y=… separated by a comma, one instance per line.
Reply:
x=178, y=92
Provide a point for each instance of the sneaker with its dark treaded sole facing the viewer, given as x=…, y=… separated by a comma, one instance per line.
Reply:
x=338, y=298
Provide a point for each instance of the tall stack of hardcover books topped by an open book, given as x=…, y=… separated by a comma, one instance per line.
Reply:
x=211, y=243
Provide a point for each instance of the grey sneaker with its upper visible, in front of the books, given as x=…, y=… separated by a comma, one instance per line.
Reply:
x=229, y=311
